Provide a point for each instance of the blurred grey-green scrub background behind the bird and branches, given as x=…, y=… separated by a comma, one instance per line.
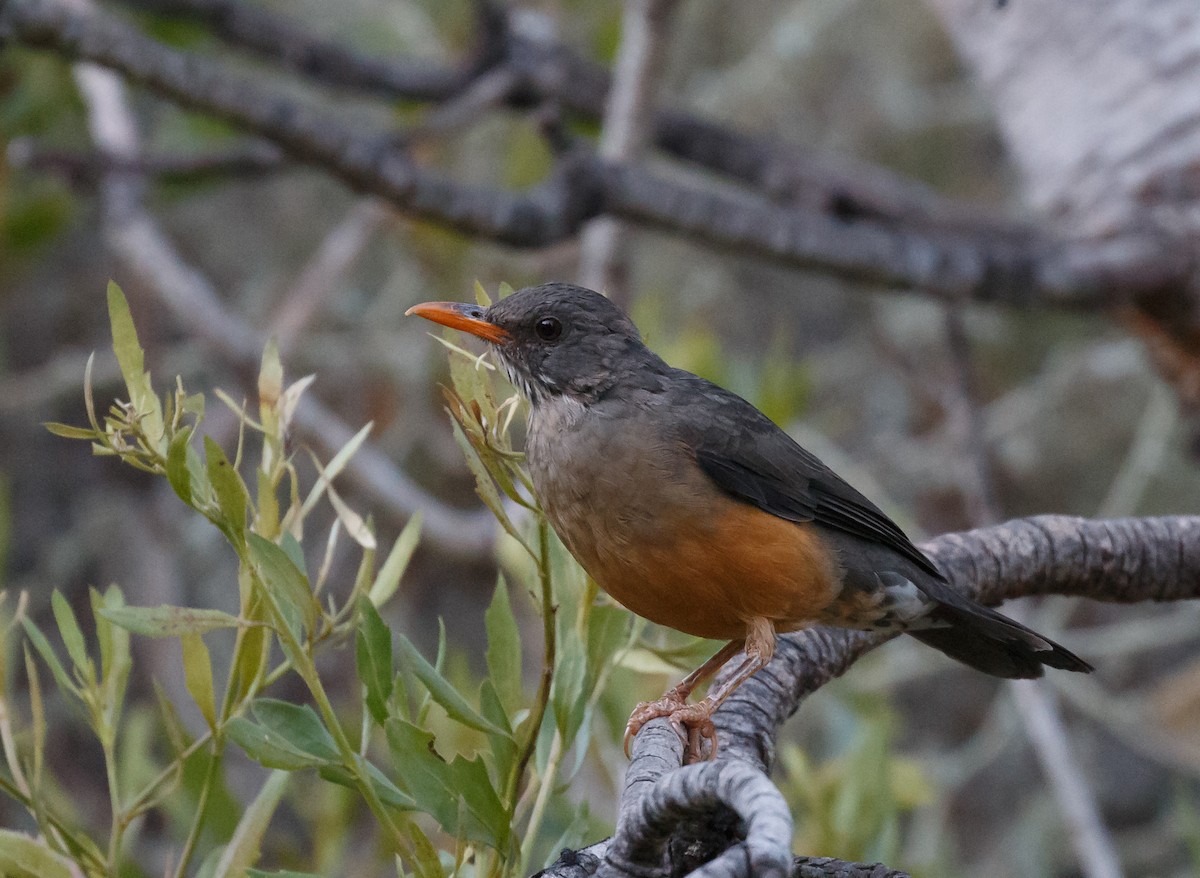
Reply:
x=1072, y=416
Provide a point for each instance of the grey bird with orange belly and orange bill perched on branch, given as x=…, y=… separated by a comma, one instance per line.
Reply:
x=694, y=510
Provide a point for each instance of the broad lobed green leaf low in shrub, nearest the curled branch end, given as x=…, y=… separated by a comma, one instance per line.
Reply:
x=441, y=787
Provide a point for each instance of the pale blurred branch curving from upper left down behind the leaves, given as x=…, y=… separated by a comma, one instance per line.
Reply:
x=193, y=299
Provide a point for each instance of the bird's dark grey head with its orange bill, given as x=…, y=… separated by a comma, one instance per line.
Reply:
x=555, y=340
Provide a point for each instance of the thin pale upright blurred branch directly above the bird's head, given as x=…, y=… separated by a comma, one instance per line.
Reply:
x=626, y=134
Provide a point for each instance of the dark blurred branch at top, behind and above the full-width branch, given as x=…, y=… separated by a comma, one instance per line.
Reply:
x=545, y=71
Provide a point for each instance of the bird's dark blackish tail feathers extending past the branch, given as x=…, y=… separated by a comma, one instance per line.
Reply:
x=988, y=641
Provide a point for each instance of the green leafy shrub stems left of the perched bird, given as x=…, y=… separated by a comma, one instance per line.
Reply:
x=459, y=775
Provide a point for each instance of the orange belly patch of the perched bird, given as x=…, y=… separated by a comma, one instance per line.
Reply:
x=710, y=575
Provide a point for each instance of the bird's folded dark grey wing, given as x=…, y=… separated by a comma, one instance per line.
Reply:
x=752, y=459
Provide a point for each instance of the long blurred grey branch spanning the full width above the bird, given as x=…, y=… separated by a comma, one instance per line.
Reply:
x=952, y=263
